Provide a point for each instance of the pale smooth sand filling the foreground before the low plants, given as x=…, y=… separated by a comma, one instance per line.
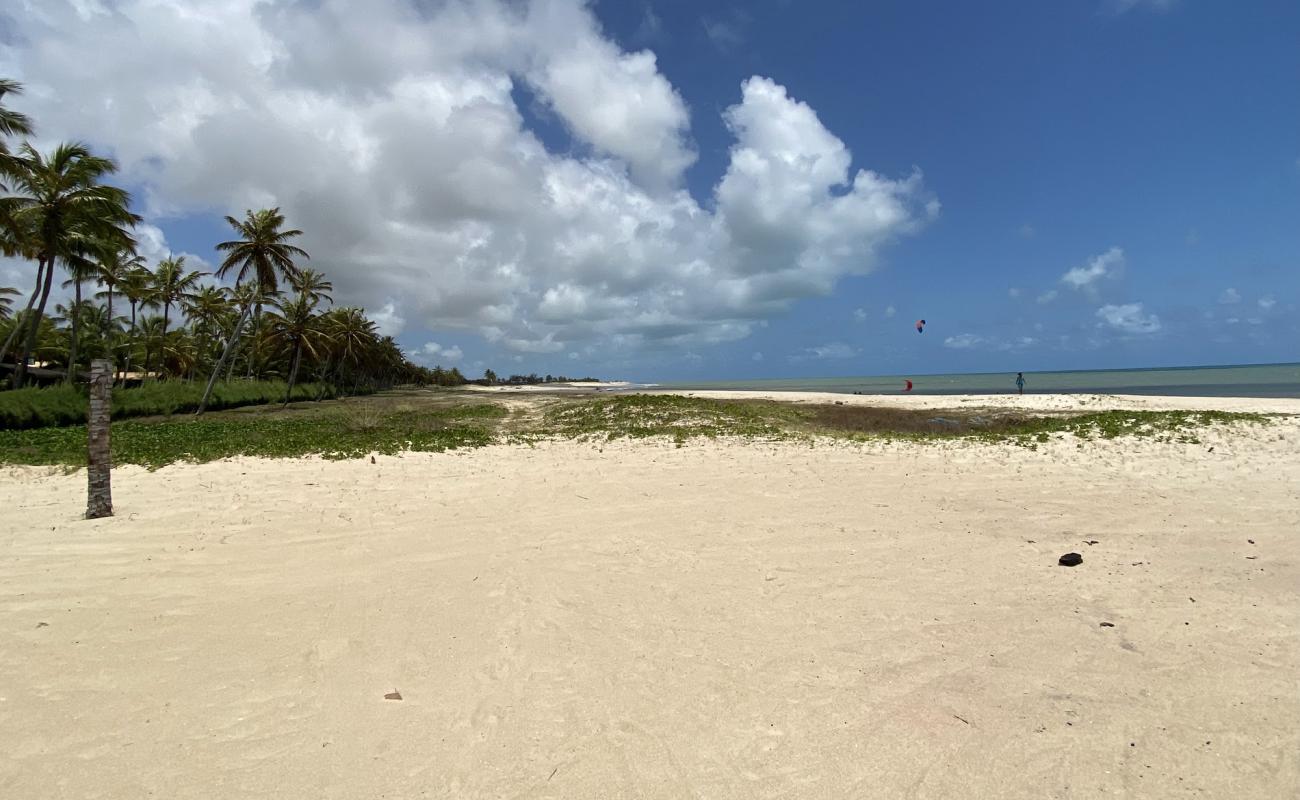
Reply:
x=634, y=620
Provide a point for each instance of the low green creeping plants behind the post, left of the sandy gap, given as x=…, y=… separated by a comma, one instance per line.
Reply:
x=339, y=435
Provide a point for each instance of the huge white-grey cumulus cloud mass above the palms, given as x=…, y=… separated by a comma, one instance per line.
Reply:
x=393, y=139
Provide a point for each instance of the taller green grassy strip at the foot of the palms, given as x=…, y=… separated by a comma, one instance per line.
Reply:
x=66, y=405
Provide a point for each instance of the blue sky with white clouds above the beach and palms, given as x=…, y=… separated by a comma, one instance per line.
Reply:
x=662, y=191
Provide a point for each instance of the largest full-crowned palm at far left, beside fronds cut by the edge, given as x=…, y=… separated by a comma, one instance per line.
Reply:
x=68, y=213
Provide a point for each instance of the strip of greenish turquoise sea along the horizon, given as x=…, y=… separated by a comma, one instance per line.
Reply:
x=1260, y=380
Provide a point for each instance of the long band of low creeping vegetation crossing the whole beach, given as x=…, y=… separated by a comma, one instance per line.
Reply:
x=393, y=422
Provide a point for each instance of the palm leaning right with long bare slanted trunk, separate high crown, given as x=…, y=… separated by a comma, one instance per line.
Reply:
x=262, y=256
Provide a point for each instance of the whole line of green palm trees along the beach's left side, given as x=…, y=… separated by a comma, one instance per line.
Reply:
x=166, y=321
